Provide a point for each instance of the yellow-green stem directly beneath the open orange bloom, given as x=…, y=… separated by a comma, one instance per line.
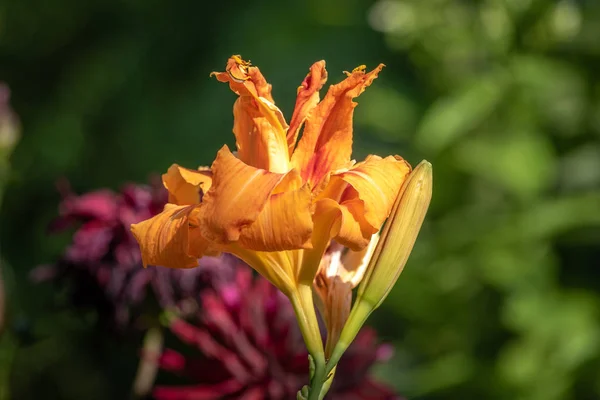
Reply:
x=302, y=301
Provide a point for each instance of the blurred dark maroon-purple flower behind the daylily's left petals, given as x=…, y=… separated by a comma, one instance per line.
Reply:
x=102, y=265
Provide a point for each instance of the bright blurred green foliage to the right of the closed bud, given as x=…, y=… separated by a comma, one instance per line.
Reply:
x=510, y=310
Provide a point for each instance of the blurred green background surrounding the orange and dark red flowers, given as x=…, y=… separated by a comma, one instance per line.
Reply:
x=501, y=297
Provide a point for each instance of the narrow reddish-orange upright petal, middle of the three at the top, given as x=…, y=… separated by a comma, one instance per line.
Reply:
x=307, y=99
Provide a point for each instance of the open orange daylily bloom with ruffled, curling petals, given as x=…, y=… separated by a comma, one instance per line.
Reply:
x=278, y=202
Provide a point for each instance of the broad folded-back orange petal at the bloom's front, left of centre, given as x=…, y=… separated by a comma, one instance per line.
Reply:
x=238, y=195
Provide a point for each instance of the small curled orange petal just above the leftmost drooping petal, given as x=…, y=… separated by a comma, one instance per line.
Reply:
x=186, y=186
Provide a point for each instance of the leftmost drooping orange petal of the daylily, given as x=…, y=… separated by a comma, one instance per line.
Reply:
x=164, y=238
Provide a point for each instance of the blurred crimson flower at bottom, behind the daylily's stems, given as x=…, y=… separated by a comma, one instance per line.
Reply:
x=250, y=348
